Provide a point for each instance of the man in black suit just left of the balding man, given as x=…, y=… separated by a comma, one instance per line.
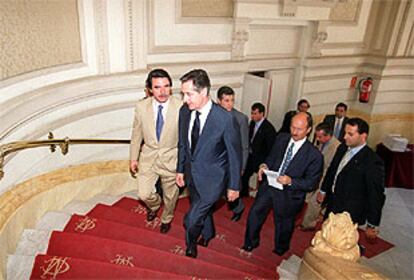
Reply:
x=261, y=138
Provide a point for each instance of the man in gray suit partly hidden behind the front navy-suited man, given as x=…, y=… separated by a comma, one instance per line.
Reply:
x=225, y=98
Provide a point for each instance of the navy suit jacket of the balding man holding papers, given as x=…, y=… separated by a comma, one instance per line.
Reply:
x=305, y=169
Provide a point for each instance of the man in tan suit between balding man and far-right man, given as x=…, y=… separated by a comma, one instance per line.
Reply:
x=327, y=145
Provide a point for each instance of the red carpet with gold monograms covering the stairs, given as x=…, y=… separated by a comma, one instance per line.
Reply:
x=117, y=242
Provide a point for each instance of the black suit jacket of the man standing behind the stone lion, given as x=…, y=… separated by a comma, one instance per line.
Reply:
x=359, y=187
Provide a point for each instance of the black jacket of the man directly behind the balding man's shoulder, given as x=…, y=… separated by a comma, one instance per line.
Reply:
x=262, y=143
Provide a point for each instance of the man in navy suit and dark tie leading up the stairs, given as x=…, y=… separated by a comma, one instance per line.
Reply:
x=208, y=157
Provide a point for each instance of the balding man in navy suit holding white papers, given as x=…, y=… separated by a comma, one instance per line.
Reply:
x=299, y=165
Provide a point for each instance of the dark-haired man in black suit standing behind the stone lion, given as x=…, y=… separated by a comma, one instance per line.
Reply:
x=354, y=181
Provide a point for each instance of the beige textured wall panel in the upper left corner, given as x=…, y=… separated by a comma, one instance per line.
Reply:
x=37, y=35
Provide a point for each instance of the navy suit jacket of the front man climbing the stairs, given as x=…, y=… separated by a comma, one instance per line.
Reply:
x=215, y=164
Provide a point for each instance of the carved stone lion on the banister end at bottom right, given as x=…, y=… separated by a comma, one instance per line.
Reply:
x=334, y=252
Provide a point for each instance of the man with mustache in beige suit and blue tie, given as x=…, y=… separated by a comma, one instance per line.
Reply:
x=153, y=151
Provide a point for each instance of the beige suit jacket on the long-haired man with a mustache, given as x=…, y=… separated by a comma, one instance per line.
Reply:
x=163, y=153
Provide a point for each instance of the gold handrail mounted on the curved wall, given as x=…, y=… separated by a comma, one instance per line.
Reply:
x=12, y=147
